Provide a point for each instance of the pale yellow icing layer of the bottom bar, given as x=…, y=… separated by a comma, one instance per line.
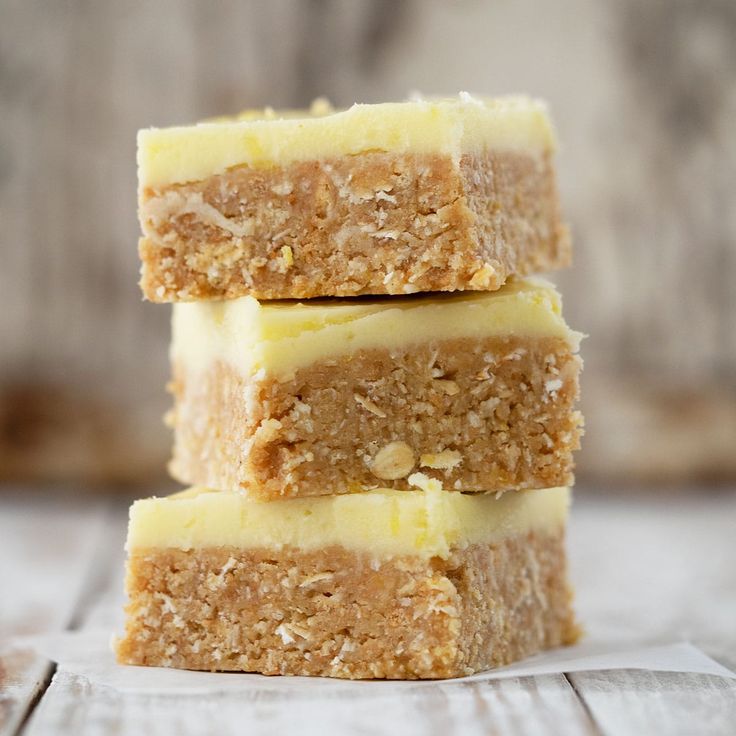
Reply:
x=425, y=522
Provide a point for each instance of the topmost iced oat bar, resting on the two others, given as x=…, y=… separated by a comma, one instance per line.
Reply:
x=396, y=198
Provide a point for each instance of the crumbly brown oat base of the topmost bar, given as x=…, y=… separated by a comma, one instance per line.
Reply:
x=377, y=223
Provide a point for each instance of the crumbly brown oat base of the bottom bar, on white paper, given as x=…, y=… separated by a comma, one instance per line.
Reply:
x=340, y=613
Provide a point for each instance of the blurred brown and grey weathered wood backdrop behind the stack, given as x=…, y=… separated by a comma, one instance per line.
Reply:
x=644, y=96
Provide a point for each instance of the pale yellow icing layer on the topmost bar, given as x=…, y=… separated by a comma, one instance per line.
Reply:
x=267, y=139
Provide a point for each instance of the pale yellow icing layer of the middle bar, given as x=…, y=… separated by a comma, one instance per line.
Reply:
x=279, y=337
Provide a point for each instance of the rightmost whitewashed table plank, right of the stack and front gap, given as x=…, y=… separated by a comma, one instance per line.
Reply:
x=659, y=568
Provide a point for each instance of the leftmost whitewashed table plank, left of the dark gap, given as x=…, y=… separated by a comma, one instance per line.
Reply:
x=48, y=552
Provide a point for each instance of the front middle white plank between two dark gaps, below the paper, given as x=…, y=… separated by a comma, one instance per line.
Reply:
x=545, y=705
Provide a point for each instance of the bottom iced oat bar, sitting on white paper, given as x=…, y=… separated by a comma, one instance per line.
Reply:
x=381, y=584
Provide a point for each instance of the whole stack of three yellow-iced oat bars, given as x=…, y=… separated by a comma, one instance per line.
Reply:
x=373, y=404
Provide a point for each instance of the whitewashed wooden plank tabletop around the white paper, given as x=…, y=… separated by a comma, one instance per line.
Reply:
x=660, y=568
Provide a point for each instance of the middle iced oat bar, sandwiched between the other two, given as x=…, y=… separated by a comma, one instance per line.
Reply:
x=283, y=399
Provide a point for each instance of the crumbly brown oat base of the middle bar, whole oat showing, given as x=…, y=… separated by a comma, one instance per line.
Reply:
x=490, y=414
